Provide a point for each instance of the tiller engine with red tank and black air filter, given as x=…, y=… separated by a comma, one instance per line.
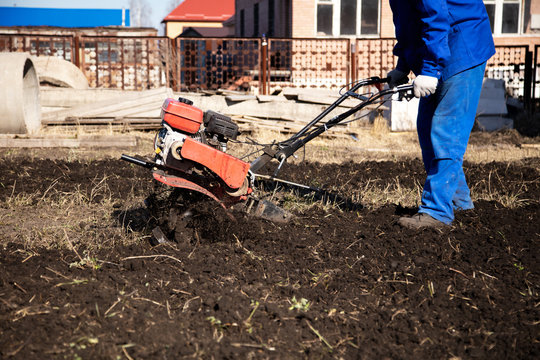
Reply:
x=182, y=120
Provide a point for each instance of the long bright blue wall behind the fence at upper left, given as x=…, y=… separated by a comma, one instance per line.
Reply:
x=21, y=16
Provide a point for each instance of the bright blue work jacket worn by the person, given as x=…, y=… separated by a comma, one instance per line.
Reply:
x=441, y=38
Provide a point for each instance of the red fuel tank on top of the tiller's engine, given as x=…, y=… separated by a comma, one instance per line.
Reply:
x=181, y=116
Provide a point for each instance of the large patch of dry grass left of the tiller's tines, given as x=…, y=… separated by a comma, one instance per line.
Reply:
x=64, y=220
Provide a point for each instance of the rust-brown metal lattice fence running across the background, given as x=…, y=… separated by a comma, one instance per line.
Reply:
x=136, y=63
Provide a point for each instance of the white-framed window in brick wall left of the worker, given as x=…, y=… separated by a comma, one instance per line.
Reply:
x=351, y=18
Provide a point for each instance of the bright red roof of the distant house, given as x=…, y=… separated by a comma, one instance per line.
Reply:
x=202, y=10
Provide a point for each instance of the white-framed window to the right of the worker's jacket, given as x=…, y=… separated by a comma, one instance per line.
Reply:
x=504, y=16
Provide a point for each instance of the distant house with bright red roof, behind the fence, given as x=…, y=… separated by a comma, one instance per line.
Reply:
x=200, y=18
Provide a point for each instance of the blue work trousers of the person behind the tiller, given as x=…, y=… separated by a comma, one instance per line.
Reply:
x=444, y=123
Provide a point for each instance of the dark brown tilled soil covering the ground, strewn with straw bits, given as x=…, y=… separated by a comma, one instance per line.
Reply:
x=331, y=283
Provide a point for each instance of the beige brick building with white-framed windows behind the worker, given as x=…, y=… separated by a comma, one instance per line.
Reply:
x=362, y=18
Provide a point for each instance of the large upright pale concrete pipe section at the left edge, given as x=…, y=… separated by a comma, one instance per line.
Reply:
x=20, y=110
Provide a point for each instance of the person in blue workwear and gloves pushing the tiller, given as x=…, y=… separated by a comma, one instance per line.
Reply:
x=446, y=44
